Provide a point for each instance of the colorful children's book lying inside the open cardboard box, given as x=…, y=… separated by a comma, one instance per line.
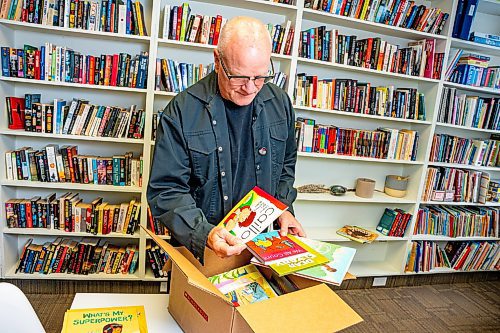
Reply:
x=243, y=285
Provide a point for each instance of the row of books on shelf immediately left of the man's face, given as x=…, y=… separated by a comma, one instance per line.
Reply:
x=173, y=76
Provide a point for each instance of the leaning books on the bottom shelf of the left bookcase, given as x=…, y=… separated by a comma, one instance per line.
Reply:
x=82, y=257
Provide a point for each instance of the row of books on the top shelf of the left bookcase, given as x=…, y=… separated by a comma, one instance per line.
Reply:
x=118, y=16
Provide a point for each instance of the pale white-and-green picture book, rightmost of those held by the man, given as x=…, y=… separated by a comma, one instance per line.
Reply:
x=335, y=270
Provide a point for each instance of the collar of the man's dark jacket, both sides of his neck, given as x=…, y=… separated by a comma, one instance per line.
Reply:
x=206, y=89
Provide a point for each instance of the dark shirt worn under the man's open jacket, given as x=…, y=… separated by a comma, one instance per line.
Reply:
x=239, y=123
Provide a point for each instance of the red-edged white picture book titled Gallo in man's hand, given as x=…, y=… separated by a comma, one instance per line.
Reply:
x=253, y=214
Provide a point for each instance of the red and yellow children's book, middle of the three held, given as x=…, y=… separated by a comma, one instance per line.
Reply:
x=284, y=254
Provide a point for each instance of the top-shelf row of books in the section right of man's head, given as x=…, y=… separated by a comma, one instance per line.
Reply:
x=398, y=13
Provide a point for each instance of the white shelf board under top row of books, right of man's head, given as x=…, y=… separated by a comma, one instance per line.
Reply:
x=373, y=27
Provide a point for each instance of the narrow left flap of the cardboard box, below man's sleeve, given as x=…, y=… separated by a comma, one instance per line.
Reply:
x=194, y=276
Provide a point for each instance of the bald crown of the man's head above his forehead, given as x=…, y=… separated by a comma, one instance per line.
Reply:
x=249, y=29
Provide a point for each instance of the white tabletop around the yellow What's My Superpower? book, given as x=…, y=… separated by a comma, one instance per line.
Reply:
x=158, y=318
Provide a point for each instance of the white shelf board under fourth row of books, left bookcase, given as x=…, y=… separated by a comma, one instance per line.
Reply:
x=72, y=186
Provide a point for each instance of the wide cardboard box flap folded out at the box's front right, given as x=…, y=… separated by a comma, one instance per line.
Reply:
x=316, y=309
